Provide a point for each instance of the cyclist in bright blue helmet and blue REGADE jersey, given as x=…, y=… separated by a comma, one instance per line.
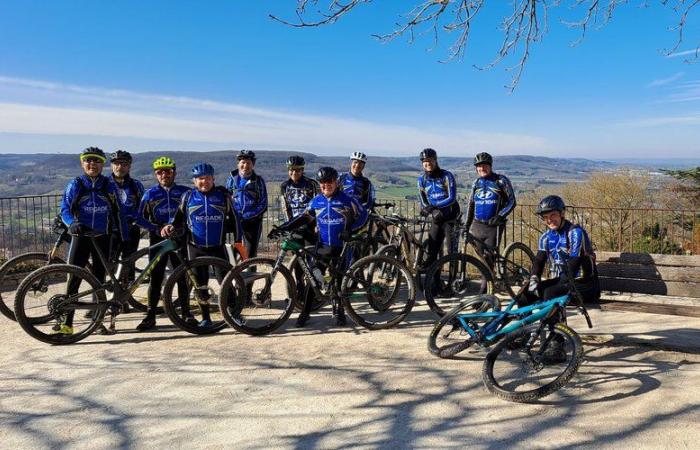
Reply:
x=208, y=212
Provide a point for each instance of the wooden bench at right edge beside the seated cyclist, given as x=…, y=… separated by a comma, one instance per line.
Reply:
x=670, y=284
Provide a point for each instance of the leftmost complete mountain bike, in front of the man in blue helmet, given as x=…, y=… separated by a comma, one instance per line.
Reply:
x=43, y=302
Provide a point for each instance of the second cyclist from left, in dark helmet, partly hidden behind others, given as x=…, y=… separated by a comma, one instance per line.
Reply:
x=129, y=193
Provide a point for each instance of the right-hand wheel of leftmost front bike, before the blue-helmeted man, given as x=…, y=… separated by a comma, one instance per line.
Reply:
x=179, y=317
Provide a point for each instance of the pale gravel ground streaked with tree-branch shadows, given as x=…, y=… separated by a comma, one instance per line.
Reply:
x=330, y=387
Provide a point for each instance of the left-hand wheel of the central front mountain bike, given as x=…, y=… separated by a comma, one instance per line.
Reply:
x=252, y=316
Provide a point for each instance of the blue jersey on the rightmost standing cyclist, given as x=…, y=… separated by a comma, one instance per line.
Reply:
x=490, y=196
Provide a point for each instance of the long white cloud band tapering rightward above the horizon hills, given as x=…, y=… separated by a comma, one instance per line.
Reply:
x=47, y=108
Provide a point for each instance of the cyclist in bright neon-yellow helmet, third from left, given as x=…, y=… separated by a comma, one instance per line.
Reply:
x=157, y=209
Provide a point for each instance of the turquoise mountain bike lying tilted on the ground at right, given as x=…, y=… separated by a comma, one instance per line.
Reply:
x=535, y=353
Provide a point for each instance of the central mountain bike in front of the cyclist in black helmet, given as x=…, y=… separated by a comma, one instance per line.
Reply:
x=259, y=294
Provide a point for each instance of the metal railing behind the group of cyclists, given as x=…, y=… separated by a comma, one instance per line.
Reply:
x=25, y=225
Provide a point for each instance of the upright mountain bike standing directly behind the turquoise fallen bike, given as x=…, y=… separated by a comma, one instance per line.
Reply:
x=459, y=275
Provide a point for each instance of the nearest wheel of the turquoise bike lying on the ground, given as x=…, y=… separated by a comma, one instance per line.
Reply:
x=514, y=344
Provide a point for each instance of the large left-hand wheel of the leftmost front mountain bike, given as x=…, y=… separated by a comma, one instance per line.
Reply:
x=42, y=305
